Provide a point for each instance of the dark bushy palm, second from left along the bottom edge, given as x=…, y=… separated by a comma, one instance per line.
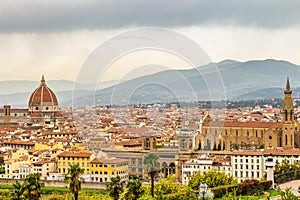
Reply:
x=32, y=186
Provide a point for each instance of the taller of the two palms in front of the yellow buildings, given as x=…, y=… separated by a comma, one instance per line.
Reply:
x=73, y=178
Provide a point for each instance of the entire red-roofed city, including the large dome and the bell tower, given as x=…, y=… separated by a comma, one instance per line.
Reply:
x=109, y=142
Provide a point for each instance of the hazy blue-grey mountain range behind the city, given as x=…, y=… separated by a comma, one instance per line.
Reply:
x=229, y=79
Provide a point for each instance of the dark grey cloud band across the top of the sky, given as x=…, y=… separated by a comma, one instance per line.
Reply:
x=57, y=15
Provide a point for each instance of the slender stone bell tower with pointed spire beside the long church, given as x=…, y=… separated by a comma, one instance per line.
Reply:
x=288, y=118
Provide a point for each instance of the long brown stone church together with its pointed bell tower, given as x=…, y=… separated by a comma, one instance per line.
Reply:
x=230, y=135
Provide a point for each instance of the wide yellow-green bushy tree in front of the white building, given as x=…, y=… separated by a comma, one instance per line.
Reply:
x=212, y=178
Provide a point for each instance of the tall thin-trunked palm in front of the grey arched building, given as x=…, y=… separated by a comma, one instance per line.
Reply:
x=151, y=165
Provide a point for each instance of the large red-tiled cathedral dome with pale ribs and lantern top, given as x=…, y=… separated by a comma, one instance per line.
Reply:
x=42, y=94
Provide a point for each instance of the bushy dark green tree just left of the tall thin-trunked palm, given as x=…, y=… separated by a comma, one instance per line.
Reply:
x=134, y=189
